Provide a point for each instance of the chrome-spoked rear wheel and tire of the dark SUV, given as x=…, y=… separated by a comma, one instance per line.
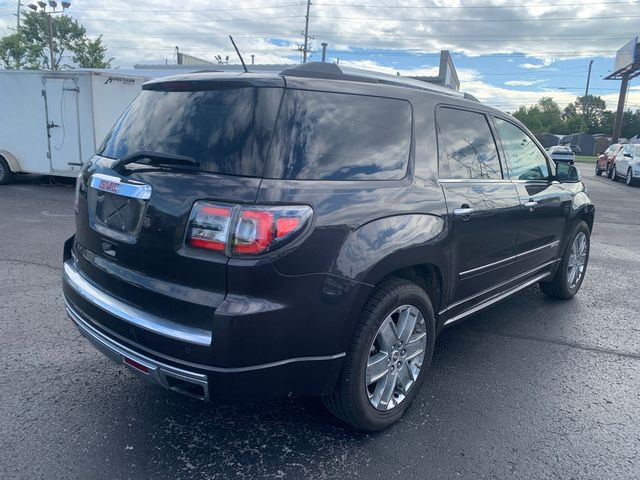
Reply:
x=353, y=399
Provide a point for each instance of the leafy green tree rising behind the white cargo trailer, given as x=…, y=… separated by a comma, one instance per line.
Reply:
x=70, y=42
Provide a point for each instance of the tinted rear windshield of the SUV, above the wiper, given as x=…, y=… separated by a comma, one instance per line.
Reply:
x=227, y=131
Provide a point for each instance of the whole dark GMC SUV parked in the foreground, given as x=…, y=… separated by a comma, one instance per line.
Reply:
x=310, y=233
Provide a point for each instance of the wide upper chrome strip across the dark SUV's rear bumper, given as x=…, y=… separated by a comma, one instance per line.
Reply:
x=133, y=315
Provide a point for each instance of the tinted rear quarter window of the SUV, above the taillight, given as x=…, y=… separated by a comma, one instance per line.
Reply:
x=334, y=136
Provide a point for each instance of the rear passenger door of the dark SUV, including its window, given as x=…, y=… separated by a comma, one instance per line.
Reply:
x=483, y=207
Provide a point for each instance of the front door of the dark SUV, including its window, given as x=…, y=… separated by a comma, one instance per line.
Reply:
x=545, y=204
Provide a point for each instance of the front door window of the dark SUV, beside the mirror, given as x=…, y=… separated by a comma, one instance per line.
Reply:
x=525, y=161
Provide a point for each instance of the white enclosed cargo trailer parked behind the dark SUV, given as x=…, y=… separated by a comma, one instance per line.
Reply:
x=53, y=121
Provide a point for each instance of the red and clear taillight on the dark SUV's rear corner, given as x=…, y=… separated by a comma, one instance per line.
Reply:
x=244, y=230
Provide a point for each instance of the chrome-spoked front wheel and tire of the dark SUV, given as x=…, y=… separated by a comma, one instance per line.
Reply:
x=561, y=285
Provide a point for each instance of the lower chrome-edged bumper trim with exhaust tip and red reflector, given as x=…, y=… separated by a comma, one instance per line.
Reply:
x=159, y=373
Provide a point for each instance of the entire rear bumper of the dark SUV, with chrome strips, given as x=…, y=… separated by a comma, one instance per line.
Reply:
x=234, y=359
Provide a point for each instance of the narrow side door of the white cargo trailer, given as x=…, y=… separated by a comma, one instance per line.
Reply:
x=63, y=123
